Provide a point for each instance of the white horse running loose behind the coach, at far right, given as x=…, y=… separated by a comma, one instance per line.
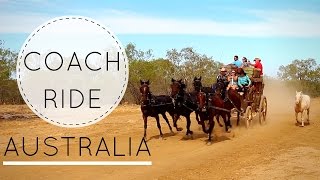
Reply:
x=302, y=104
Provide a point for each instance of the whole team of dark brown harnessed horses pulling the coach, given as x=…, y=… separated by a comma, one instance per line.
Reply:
x=204, y=101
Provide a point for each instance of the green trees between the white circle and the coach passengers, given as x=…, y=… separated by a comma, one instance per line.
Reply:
x=180, y=64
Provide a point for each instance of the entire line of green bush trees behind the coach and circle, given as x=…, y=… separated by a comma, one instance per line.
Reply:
x=183, y=64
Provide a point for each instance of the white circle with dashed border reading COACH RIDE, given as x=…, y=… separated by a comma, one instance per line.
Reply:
x=72, y=71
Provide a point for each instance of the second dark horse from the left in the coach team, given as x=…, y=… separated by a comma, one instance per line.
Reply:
x=184, y=104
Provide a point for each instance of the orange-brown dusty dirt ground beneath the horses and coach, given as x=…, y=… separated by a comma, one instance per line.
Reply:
x=277, y=150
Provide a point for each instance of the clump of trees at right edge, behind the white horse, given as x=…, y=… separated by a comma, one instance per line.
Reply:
x=304, y=75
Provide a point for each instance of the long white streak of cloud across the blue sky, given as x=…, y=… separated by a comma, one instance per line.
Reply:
x=287, y=23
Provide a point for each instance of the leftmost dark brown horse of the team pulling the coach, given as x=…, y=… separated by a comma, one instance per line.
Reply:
x=153, y=106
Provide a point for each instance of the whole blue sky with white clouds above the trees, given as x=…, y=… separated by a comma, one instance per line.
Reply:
x=275, y=31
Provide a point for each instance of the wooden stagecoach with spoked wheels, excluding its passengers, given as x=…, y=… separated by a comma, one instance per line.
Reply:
x=253, y=102
